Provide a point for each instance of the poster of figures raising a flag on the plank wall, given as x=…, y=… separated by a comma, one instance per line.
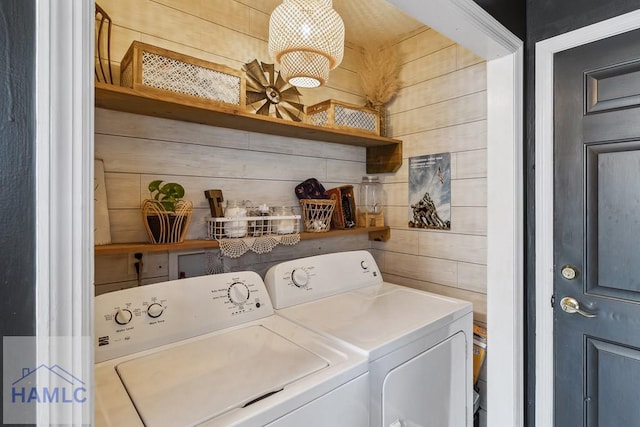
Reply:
x=430, y=191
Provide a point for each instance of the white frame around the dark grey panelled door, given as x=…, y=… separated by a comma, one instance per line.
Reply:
x=544, y=51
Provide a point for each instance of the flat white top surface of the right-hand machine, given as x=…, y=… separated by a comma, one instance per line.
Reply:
x=378, y=319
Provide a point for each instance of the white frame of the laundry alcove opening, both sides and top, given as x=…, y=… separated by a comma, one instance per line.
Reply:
x=64, y=155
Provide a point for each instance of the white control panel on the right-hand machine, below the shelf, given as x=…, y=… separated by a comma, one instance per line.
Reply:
x=308, y=279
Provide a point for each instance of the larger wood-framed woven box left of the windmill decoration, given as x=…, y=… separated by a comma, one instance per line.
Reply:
x=156, y=69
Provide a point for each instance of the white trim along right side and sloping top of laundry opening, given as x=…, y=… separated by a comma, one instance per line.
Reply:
x=466, y=23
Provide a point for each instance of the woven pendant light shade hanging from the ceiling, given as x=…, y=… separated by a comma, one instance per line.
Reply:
x=306, y=37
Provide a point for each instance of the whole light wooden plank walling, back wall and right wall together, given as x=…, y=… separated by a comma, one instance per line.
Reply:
x=441, y=108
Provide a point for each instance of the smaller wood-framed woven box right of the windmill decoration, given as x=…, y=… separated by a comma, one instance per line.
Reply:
x=340, y=115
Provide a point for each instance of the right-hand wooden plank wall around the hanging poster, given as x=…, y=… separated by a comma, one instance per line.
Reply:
x=440, y=108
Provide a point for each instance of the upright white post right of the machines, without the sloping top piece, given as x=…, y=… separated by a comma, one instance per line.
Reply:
x=505, y=254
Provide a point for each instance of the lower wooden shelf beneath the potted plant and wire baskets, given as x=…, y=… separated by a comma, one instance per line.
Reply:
x=375, y=233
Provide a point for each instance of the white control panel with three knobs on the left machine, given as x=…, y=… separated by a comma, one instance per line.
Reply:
x=144, y=317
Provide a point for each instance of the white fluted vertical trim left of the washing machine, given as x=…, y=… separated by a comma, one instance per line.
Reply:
x=64, y=188
